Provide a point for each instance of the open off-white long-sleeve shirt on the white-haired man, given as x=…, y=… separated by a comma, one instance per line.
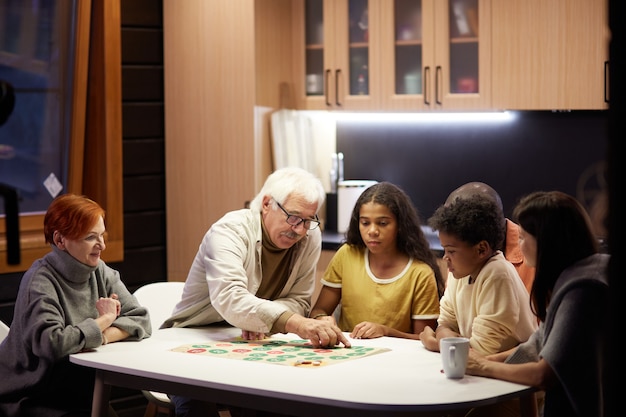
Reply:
x=226, y=274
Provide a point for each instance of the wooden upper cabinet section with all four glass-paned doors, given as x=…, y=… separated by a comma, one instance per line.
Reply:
x=392, y=54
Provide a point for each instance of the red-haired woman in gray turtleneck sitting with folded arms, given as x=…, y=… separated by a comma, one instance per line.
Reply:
x=68, y=301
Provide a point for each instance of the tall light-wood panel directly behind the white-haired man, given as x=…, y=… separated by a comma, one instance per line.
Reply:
x=210, y=91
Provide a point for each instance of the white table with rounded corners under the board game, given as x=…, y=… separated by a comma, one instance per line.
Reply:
x=406, y=380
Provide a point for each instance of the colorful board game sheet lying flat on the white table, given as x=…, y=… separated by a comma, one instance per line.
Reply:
x=296, y=352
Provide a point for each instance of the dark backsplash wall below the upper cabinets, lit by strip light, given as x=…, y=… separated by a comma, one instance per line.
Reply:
x=536, y=151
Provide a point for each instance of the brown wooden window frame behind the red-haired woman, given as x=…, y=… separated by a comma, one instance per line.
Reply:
x=95, y=165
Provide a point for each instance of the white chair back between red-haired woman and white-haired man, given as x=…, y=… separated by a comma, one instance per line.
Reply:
x=159, y=298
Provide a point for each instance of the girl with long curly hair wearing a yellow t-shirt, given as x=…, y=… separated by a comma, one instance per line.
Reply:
x=385, y=276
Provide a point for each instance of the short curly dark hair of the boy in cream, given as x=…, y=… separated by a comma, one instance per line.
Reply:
x=472, y=220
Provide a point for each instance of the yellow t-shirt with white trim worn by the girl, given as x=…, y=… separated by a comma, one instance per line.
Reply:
x=393, y=302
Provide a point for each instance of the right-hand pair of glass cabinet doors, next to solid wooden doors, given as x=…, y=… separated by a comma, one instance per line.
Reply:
x=437, y=54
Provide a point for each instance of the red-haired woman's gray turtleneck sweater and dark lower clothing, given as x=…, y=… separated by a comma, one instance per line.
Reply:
x=54, y=317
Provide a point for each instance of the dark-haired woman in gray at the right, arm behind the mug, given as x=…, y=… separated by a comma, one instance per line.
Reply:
x=564, y=357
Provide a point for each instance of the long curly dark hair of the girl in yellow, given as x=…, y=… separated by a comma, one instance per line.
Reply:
x=411, y=239
